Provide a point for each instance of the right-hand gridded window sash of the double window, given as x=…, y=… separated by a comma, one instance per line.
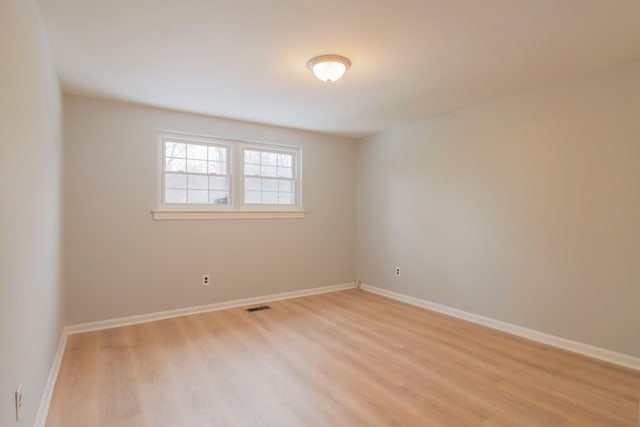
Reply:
x=269, y=177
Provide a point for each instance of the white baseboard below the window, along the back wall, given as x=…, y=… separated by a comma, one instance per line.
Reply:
x=161, y=315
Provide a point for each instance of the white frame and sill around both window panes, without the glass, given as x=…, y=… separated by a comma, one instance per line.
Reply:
x=236, y=208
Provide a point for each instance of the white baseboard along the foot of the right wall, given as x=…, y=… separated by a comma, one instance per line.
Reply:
x=563, y=343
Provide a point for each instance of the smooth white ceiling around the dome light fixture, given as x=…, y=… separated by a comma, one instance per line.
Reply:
x=246, y=59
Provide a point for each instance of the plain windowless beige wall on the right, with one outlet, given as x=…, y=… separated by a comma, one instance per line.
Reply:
x=525, y=209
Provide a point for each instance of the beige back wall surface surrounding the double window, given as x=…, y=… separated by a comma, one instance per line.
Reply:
x=120, y=262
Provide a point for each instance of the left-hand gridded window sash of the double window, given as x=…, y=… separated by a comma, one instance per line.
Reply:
x=195, y=173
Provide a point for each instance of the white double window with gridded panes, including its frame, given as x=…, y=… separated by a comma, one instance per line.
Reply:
x=202, y=174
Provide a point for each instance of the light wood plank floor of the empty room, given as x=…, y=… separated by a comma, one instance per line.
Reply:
x=346, y=358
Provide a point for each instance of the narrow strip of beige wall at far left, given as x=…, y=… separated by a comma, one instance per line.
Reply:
x=31, y=294
